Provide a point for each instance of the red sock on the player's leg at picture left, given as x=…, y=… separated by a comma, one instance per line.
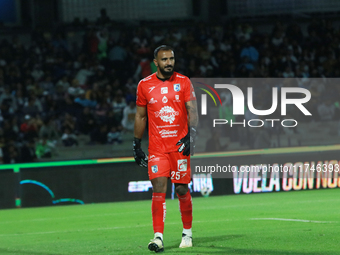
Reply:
x=158, y=212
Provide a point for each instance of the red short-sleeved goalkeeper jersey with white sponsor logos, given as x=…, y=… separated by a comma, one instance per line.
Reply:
x=167, y=114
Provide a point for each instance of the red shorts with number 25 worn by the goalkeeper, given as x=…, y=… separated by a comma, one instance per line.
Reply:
x=172, y=165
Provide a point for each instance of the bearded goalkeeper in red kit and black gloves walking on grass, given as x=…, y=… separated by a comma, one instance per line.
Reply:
x=168, y=101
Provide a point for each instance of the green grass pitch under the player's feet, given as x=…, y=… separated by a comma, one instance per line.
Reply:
x=305, y=222
